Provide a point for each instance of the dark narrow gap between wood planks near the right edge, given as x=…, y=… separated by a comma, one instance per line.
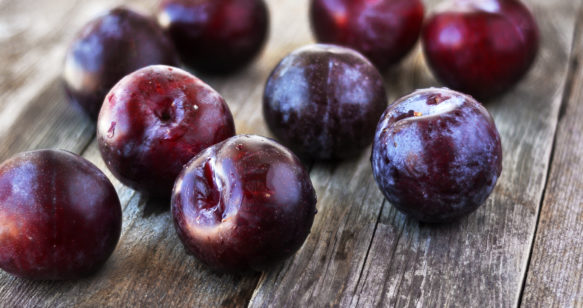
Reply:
x=568, y=88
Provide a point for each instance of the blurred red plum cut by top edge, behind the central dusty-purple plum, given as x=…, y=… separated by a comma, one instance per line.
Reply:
x=382, y=30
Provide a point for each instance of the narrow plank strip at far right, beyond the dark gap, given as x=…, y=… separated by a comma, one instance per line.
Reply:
x=555, y=274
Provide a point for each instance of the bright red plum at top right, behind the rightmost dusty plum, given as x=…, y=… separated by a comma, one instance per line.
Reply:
x=481, y=47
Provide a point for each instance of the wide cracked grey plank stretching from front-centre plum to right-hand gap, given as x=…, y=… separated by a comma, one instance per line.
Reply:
x=478, y=261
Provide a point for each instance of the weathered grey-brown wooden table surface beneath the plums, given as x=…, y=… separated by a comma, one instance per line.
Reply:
x=524, y=247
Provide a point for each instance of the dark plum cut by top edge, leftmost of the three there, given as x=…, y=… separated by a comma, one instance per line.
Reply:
x=215, y=36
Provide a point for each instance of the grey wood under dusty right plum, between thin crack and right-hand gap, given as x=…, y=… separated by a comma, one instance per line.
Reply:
x=481, y=260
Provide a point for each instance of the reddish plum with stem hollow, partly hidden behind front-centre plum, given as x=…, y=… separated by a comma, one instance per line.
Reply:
x=154, y=121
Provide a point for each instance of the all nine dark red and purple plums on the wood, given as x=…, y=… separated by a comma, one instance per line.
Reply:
x=244, y=202
